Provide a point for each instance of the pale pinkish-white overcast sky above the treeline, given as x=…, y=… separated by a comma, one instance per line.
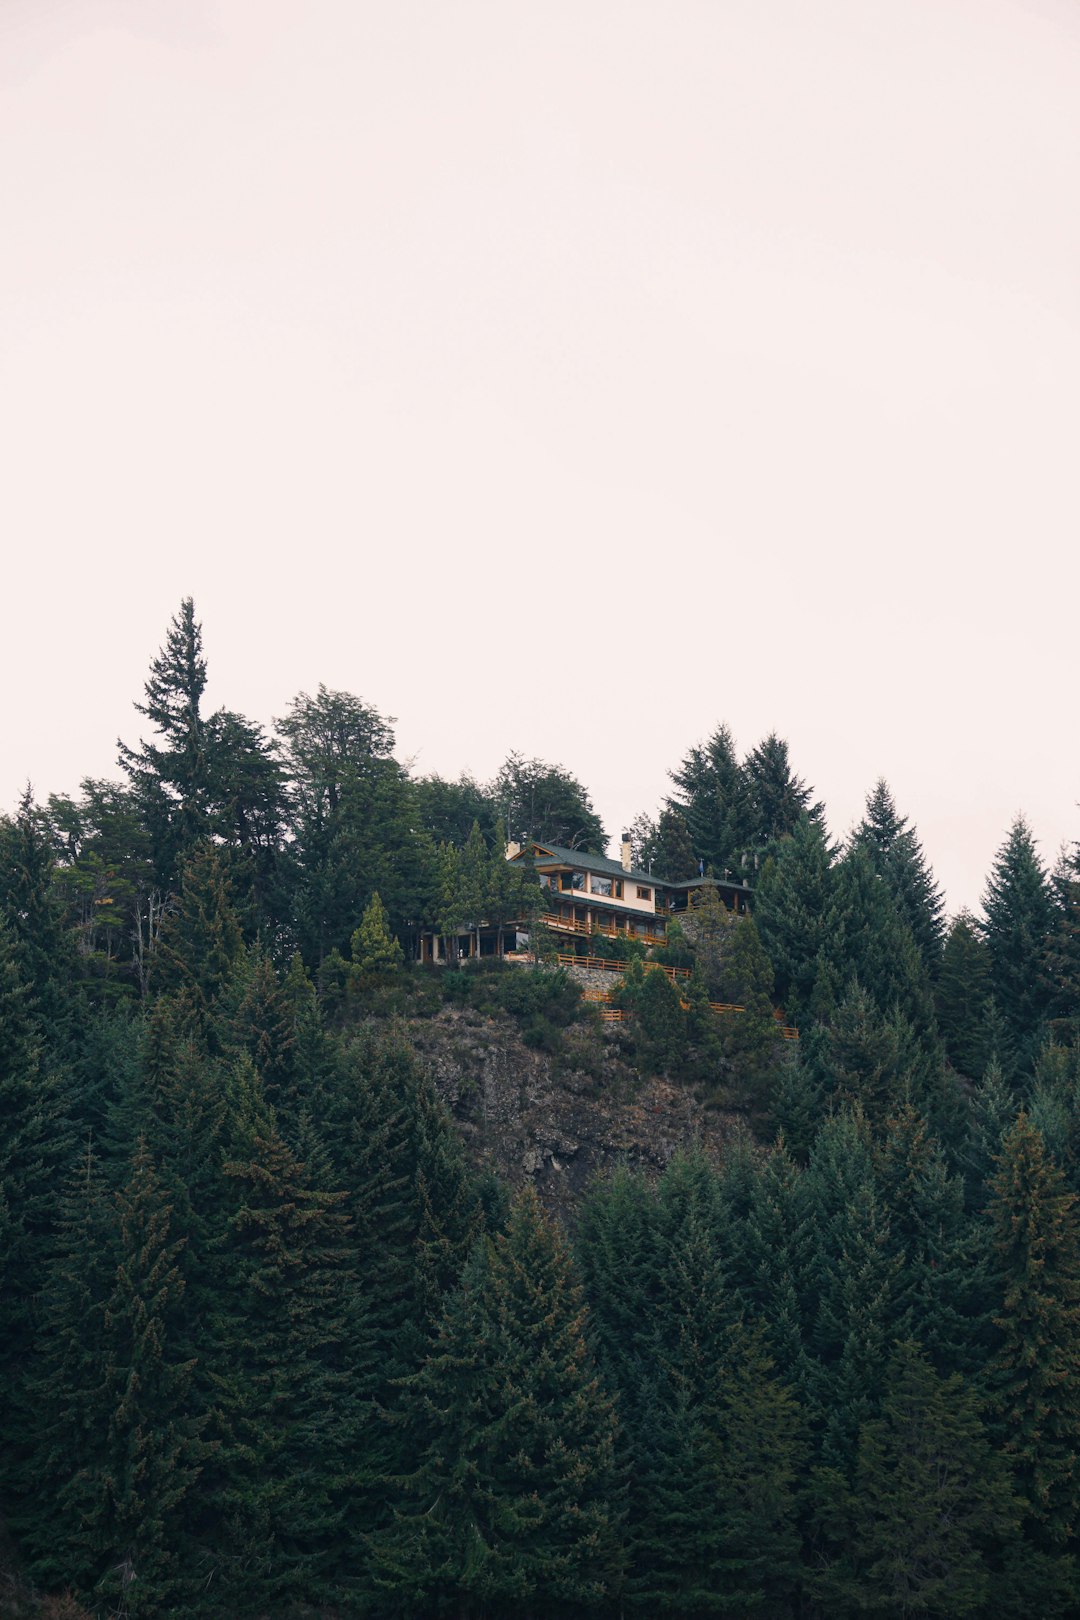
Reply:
x=559, y=377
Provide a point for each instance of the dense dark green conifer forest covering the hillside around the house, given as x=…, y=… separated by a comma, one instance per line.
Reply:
x=274, y=1344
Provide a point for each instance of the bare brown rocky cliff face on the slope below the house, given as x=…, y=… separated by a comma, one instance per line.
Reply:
x=556, y=1120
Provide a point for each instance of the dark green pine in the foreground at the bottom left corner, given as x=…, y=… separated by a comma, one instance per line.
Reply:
x=121, y=1452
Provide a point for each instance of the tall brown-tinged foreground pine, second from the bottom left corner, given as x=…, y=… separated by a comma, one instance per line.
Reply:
x=283, y=1407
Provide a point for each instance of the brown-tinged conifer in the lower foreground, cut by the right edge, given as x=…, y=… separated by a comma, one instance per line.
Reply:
x=1035, y=1373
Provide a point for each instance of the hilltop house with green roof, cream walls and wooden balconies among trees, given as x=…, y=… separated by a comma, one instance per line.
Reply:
x=585, y=897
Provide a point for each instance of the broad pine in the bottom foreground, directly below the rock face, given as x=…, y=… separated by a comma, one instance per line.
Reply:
x=514, y=1501
